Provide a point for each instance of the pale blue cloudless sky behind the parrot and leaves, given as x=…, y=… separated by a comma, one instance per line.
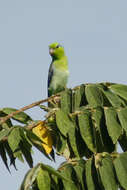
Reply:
x=94, y=34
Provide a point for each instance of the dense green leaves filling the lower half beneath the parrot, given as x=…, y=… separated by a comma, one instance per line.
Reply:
x=85, y=125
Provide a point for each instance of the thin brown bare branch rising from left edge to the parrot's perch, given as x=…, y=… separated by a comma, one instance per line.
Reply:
x=4, y=119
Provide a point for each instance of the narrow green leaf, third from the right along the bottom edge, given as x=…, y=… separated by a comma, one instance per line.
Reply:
x=89, y=175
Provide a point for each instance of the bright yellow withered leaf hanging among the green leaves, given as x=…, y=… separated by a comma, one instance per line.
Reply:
x=44, y=134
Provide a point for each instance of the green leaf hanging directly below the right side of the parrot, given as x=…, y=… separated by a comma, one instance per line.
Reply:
x=66, y=102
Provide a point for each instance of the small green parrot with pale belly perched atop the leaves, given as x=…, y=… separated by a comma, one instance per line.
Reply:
x=58, y=70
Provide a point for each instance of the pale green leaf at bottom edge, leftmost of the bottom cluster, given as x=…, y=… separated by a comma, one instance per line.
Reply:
x=30, y=178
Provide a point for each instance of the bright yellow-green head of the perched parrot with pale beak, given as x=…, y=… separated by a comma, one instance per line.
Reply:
x=56, y=50
